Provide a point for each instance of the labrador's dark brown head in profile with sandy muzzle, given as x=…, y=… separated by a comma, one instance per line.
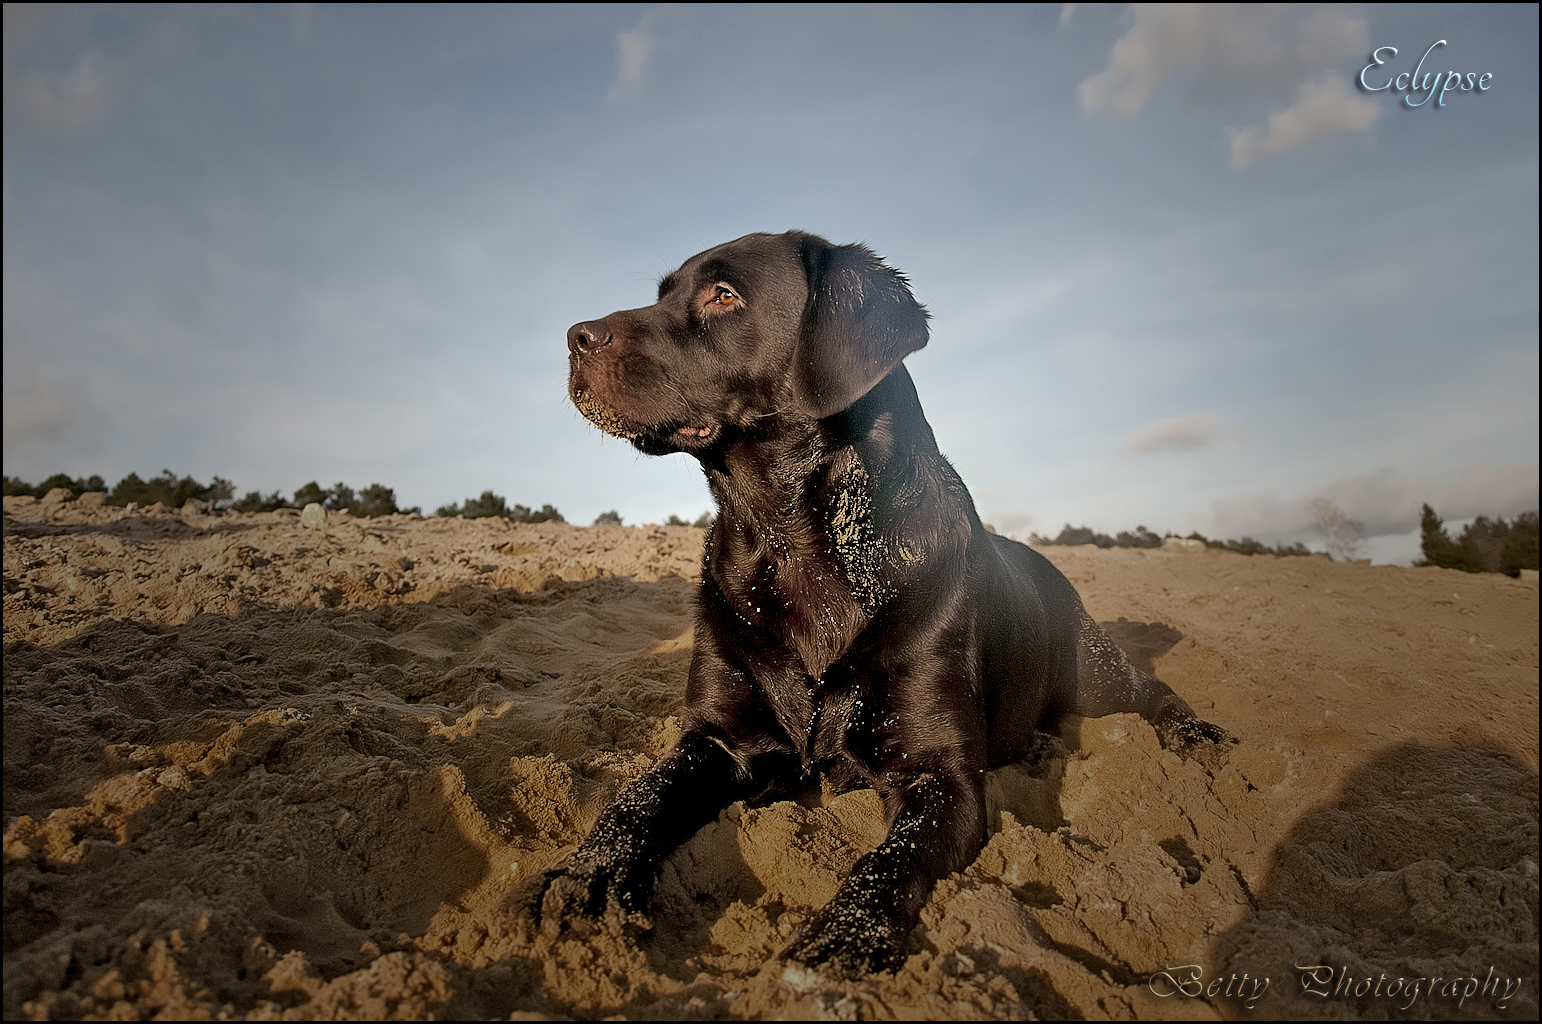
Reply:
x=764, y=328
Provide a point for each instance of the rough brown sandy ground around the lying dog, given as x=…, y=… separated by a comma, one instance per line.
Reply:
x=258, y=769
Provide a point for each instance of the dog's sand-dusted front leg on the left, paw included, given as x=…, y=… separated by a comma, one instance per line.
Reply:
x=611, y=877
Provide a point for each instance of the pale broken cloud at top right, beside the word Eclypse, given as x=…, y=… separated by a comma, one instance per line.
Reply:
x=1236, y=50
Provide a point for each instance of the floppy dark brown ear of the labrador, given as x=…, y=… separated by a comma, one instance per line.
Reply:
x=858, y=325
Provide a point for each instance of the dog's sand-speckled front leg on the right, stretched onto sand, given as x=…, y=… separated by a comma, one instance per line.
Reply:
x=937, y=827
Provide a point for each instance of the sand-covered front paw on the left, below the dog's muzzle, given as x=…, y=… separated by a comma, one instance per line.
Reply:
x=581, y=895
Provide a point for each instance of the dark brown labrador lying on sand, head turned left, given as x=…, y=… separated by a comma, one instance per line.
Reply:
x=857, y=624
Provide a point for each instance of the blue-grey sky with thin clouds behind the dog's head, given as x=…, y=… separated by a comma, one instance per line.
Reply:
x=1183, y=269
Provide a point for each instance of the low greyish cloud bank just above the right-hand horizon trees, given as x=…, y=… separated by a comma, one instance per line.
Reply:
x=1387, y=502
